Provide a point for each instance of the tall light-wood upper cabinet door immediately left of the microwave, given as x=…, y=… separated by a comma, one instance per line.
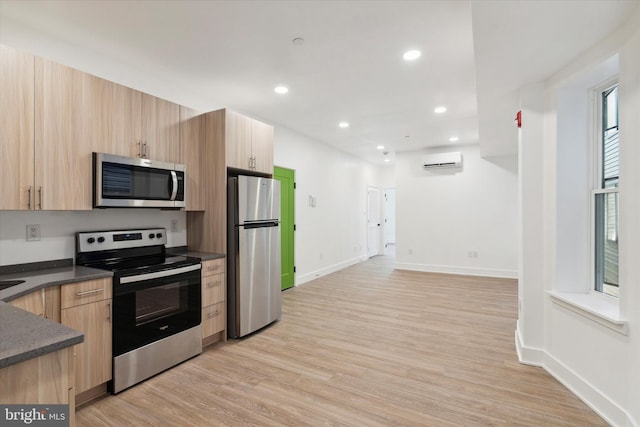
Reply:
x=63, y=143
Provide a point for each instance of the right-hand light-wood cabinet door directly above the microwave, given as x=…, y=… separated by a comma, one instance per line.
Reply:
x=161, y=129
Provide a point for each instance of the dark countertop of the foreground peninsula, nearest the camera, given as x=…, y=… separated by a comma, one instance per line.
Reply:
x=24, y=336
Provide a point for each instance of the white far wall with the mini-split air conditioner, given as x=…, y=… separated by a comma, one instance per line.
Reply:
x=443, y=215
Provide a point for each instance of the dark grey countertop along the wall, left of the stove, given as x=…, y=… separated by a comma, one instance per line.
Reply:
x=39, y=279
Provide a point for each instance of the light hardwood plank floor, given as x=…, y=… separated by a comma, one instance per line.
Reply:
x=366, y=346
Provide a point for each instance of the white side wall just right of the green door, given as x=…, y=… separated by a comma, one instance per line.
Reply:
x=331, y=235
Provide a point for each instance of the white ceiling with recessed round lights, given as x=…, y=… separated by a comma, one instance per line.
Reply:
x=349, y=67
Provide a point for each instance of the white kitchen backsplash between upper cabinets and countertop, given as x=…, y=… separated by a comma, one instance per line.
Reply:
x=58, y=228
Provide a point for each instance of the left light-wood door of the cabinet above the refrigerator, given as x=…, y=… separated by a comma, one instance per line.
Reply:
x=238, y=140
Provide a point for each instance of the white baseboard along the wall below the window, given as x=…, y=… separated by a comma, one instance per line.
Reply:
x=590, y=395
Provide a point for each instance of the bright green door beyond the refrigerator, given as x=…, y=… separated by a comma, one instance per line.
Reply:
x=287, y=223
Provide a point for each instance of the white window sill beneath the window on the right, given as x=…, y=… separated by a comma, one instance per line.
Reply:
x=602, y=310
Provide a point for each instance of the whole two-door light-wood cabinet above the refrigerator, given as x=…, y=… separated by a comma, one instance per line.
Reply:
x=249, y=143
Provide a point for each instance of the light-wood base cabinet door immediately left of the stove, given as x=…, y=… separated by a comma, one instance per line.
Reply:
x=93, y=356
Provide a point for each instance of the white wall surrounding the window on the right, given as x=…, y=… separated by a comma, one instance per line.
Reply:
x=600, y=365
